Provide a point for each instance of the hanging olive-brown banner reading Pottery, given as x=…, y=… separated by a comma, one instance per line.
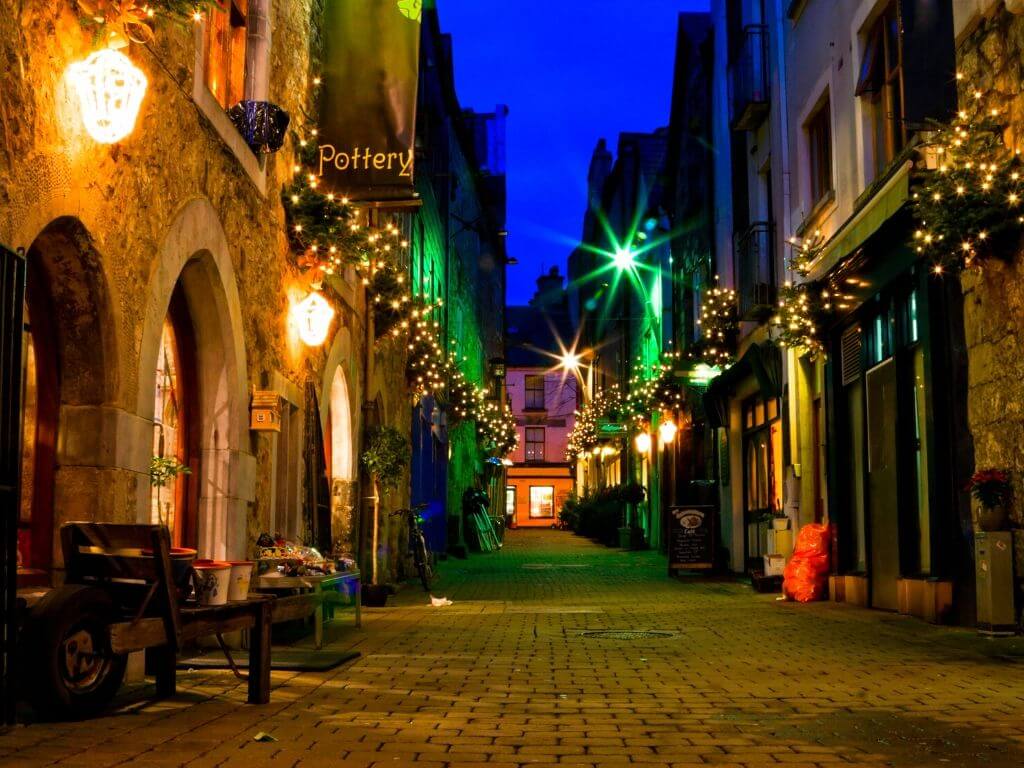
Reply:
x=367, y=127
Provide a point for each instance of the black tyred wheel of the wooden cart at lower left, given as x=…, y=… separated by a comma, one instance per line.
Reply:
x=71, y=672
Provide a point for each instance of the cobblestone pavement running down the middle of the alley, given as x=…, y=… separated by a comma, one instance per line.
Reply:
x=507, y=677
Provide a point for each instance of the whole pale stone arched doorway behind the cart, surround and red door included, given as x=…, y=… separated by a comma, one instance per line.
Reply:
x=193, y=290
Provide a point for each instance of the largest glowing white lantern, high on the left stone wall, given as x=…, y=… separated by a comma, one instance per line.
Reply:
x=110, y=93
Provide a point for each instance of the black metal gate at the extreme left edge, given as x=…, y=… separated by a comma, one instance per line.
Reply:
x=12, y=308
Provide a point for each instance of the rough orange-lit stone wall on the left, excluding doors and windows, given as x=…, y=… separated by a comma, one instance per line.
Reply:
x=114, y=227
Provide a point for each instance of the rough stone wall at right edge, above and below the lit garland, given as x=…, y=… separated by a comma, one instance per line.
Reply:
x=992, y=60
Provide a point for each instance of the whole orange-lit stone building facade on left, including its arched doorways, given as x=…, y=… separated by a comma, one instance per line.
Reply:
x=176, y=233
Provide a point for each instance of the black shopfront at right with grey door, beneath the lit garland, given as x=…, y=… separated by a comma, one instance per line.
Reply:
x=895, y=382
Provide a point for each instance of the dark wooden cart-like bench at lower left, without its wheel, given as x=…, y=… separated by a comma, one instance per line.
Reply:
x=133, y=564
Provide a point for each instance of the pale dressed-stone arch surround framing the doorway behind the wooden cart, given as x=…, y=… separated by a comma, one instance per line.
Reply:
x=195, y=258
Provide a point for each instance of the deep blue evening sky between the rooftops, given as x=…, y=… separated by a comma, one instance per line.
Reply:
x=572, y=72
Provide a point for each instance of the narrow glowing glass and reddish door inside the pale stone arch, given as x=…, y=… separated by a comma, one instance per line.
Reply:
x=176, y=428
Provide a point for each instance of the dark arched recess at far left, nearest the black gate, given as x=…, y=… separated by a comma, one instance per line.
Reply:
x=72, y=467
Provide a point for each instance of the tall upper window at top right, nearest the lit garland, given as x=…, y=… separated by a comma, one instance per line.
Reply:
x=880, y=86
